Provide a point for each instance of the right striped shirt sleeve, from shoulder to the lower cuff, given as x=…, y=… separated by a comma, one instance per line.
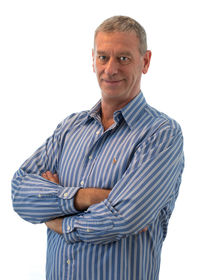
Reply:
x=150, y=184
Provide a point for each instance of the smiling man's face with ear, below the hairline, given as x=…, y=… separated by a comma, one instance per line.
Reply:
x=119, y=65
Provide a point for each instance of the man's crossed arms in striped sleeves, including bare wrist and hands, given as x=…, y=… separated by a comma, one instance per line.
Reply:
x=94, y=215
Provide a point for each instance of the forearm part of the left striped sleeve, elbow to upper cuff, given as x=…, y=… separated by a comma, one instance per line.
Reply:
x=38, y=200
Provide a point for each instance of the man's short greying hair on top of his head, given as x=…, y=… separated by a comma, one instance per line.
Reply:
x=124, y=24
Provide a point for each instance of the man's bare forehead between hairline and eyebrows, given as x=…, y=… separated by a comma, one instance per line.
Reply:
x=117, y=41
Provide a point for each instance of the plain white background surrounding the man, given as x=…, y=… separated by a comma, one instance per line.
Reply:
x=46, y=74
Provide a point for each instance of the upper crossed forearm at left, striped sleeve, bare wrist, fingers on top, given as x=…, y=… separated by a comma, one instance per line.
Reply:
x=39, y=199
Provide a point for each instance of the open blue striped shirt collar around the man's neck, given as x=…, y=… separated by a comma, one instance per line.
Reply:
x=130, y=113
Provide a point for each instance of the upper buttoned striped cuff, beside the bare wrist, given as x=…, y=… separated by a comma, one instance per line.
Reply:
x=66, y=200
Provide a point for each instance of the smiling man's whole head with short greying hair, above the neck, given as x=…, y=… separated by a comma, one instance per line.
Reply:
x=120, y=57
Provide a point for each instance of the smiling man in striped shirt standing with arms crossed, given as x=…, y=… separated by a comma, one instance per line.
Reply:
x=105, y=183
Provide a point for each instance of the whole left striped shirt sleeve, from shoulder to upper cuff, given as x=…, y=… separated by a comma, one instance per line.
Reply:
x=36, y=199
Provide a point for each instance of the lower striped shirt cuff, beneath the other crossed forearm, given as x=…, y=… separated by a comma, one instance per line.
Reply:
x=68, y=227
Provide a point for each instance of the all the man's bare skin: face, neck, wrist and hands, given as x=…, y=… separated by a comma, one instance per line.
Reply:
x=119, y=66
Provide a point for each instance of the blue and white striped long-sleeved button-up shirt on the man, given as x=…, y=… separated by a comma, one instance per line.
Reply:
x=140, y=158
